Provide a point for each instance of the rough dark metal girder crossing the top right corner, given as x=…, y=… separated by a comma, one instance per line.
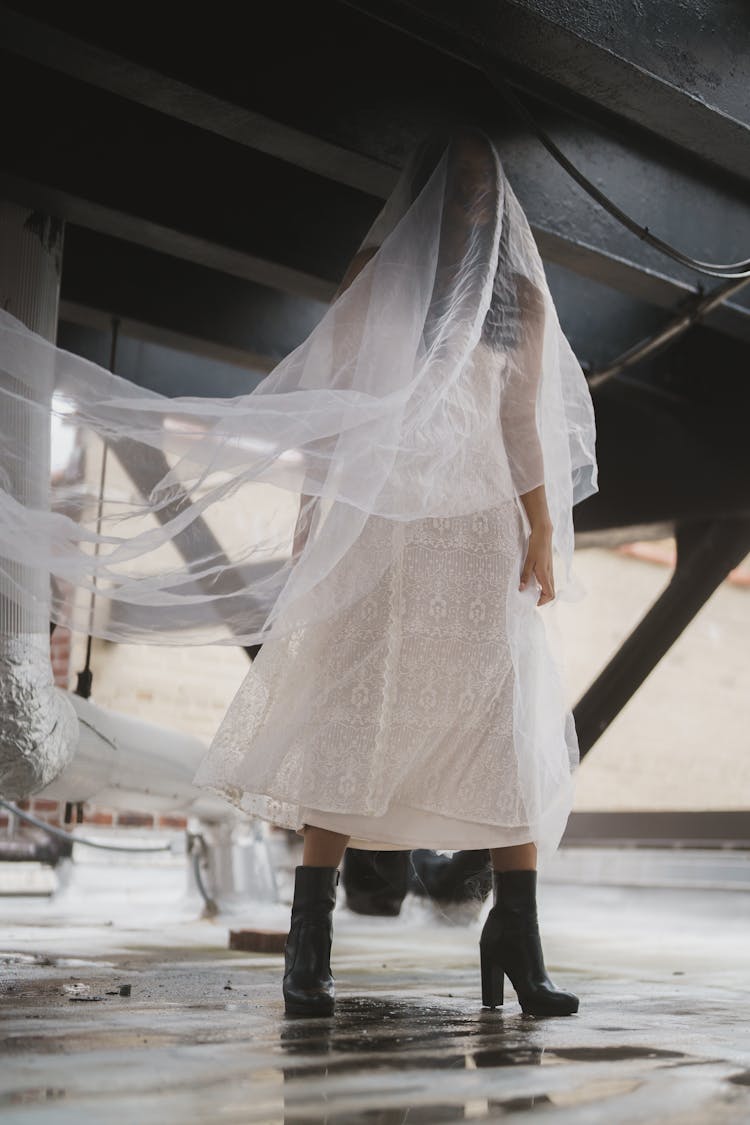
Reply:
x=679, y=70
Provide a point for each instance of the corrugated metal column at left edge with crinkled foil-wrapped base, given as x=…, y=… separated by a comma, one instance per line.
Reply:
x=39, y=728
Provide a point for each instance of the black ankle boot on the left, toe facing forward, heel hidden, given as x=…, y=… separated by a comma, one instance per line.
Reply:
x=309, y=988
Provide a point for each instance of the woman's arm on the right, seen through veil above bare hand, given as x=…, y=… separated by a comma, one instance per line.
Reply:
x=521, y=391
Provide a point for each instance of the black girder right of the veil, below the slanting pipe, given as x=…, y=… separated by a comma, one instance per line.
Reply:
x=670, y=447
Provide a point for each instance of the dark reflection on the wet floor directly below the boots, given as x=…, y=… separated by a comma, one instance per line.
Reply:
x=386, y=1038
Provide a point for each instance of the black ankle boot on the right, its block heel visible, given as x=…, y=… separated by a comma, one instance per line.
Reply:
x=511, y=947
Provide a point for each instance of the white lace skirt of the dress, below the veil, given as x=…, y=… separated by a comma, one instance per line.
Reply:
x=394, y=723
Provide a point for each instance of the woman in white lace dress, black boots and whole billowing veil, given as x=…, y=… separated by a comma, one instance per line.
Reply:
x=382, y=515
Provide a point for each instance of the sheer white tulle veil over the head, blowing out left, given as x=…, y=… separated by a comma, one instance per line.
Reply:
x=438, y=384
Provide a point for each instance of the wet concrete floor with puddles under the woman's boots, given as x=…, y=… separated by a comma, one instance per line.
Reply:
x=662, y=1036
